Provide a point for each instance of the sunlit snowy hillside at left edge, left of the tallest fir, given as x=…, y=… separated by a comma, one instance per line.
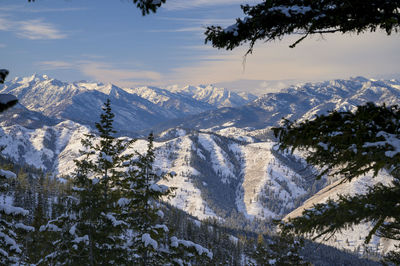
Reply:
x=50, y=148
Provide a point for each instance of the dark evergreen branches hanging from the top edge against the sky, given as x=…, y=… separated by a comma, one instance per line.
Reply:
x=274, y=19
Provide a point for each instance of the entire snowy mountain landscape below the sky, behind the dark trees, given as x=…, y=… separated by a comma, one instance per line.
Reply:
x=218, y=142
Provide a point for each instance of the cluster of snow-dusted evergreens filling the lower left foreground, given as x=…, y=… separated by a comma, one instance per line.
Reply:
x=111, y=215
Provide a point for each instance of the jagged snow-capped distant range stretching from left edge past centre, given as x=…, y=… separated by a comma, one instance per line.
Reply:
x=135, y=109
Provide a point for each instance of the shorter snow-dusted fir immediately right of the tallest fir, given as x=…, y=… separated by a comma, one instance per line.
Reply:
x=149, y=238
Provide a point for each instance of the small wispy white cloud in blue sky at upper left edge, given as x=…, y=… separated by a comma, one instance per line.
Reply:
x=35, y=29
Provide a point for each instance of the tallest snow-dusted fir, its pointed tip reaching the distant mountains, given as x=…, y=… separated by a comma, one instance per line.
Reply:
x=89, y=232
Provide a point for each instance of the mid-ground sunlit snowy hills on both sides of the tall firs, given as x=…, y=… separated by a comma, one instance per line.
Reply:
x=216, y=176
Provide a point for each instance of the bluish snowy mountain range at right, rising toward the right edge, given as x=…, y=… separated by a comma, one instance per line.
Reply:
x=296, y=102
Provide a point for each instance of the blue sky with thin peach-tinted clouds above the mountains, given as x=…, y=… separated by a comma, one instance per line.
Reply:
x=110, y=41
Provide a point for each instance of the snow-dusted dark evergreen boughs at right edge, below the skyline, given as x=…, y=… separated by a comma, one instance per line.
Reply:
x=351, y=144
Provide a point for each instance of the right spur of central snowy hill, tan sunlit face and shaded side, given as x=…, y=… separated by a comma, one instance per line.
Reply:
x=266, y=178
